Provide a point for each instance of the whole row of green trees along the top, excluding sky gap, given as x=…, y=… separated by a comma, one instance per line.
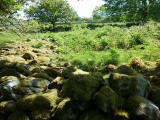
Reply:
x=52, y=11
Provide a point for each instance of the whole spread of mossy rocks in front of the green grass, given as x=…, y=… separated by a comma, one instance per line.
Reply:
x=32, y=87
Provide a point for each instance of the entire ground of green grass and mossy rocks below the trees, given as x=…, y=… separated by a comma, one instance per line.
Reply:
x=108, y=73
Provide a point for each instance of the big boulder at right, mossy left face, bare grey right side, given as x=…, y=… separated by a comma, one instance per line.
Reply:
x=127, y=82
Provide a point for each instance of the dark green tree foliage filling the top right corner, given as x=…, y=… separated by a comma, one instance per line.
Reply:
x=131, y=10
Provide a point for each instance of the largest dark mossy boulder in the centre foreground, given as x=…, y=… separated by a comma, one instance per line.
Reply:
x=82, y=87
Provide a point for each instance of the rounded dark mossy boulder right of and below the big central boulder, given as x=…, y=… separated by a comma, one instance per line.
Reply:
x=107, y=100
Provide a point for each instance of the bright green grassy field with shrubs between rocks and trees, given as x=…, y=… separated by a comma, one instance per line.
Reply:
x=87, y=48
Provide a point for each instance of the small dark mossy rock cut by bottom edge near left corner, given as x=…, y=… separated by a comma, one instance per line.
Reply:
x=18, y=115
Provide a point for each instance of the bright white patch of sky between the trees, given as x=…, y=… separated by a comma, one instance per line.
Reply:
x=84, y=8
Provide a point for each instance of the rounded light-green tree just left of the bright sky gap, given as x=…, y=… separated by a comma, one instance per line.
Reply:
x=51, y=11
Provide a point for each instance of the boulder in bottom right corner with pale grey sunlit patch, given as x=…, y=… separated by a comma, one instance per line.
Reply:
x=142, y=109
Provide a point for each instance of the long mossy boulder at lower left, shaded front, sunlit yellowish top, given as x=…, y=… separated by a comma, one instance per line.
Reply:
x=38, y=101
